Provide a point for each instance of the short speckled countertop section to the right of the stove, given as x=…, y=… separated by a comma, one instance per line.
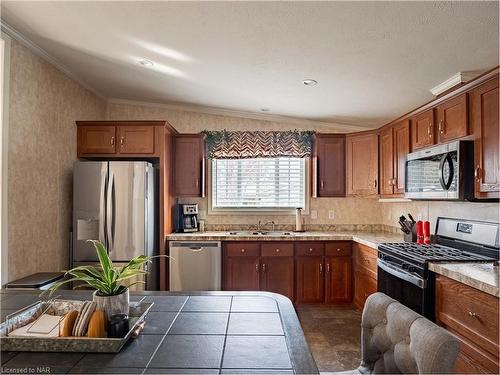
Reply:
x=482, y=276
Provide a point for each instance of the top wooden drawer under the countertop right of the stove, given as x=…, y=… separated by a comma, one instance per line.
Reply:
x=468, y=312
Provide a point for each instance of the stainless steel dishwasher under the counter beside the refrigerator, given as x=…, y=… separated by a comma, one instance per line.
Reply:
x=195, y=265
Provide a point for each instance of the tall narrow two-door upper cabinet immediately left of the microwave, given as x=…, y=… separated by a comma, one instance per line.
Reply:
x=394, y=147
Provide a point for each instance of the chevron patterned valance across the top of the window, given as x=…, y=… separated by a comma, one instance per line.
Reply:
x=257, y=144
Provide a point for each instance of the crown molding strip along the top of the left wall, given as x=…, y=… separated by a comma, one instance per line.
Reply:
x=37, y=50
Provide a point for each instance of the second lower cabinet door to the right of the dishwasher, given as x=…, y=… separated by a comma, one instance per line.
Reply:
x=277, y=275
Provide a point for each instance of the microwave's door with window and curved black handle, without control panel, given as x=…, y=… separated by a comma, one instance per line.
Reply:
x=433, y=173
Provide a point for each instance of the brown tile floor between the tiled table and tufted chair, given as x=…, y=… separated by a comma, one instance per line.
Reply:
x=333, y=334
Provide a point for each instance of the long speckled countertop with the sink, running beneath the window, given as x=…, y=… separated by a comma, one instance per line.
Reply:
x=371, y=239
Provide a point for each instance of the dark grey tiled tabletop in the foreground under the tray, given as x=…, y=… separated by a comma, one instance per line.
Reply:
x=186, y=332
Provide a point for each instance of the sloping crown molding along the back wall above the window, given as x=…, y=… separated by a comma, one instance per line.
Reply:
x=328, y=126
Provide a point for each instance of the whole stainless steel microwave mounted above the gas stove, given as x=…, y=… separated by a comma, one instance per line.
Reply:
x=443, y=172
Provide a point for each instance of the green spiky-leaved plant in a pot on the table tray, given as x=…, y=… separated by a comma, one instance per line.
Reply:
x=111, y=294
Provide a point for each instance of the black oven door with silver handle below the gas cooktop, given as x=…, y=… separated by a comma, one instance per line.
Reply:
x=407, y=288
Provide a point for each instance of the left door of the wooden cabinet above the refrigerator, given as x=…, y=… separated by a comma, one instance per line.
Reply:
x=96, y=139
